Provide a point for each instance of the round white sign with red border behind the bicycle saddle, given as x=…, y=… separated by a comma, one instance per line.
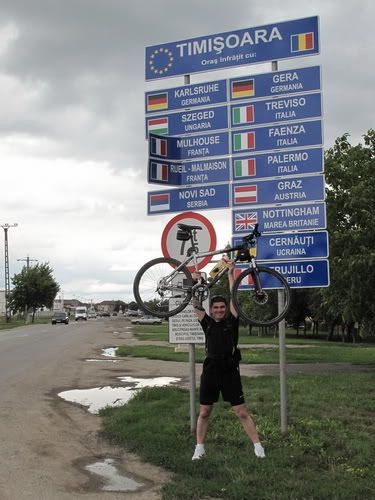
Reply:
x=206, y=238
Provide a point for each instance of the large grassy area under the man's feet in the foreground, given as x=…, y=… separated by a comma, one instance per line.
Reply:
x=329, y=452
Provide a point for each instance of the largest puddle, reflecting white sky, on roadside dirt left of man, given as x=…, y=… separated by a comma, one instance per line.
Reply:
x=99, y=397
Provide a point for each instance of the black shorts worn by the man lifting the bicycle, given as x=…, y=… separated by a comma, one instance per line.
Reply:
x=220, y=376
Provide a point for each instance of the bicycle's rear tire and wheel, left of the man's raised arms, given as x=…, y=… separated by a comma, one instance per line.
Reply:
x=145, y=288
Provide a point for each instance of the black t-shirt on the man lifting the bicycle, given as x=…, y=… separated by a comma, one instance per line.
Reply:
x=221, y=336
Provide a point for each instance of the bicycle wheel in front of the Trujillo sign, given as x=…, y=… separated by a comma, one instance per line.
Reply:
x=258, y=304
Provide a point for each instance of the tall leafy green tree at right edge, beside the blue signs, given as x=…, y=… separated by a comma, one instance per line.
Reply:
x=350, y=175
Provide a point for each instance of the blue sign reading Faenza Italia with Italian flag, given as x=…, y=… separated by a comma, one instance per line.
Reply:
x=288, y=135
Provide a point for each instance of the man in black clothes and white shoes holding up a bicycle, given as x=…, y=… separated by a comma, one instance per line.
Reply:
x=221, y=367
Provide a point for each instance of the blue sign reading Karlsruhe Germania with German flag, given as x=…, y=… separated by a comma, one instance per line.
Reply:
x=186, y=96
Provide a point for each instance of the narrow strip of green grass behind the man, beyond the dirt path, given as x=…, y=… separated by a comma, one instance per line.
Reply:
x=328, y=353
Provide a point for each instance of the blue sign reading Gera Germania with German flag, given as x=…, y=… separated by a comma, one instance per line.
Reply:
x=291, y=81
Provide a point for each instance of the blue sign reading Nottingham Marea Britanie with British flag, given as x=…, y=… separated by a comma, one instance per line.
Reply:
x=298, y=217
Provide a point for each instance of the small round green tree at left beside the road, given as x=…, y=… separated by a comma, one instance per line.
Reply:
x=33, y=287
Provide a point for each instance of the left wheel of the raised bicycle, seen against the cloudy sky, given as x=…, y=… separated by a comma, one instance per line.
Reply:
x=157, y=292
